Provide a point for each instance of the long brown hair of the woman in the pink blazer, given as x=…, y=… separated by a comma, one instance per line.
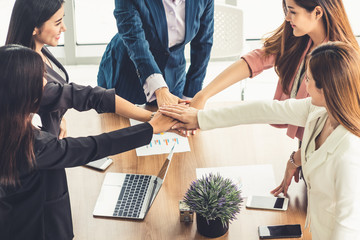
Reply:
x=289, y=49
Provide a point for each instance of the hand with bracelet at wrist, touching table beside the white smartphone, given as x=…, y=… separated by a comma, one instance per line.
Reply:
x=290, y=172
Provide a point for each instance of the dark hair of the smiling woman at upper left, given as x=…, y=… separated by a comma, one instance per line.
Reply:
x=26, y=15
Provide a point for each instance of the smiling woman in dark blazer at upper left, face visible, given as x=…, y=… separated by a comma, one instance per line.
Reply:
x=33, y=24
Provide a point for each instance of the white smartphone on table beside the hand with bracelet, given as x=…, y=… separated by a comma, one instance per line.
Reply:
x=267, y=202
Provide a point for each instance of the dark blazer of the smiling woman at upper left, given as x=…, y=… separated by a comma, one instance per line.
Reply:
x=59, y=96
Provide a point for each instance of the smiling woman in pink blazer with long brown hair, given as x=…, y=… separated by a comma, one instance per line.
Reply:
x=307, y=24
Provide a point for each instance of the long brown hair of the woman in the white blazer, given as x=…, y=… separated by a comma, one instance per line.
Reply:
x=335, y=69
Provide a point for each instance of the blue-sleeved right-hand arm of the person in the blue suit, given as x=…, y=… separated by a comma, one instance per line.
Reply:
x=200, y=48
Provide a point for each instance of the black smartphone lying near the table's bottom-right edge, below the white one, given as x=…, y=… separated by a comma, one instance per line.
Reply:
x=280, y=231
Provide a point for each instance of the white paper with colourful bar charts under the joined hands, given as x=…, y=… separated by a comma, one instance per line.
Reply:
x=162, y=143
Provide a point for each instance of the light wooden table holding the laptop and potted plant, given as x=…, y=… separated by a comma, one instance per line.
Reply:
x=240, y=145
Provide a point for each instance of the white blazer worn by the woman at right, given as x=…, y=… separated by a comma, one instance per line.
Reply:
x=332, y=172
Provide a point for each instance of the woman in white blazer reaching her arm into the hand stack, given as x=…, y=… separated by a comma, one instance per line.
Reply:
x=330, y=153
